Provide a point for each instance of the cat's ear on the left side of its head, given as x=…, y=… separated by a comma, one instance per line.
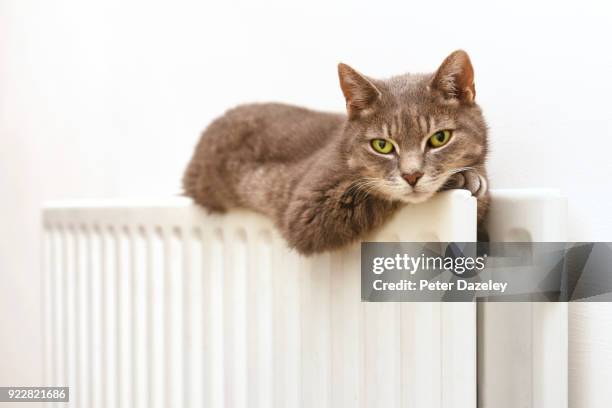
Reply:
x=360, y=93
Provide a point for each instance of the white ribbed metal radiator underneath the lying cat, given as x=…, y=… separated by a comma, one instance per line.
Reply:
x=157, y=304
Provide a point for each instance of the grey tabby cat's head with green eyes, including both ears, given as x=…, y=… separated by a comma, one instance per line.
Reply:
x=407, y=135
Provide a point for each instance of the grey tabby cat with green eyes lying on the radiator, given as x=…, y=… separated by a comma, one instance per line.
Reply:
x=326, y=179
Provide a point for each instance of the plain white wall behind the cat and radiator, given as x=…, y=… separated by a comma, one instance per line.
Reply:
x=107, y=98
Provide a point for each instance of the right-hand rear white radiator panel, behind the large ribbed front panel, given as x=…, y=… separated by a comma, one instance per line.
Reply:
x=523, y=347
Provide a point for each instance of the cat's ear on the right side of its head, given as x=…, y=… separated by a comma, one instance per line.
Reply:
x=455, y=78
